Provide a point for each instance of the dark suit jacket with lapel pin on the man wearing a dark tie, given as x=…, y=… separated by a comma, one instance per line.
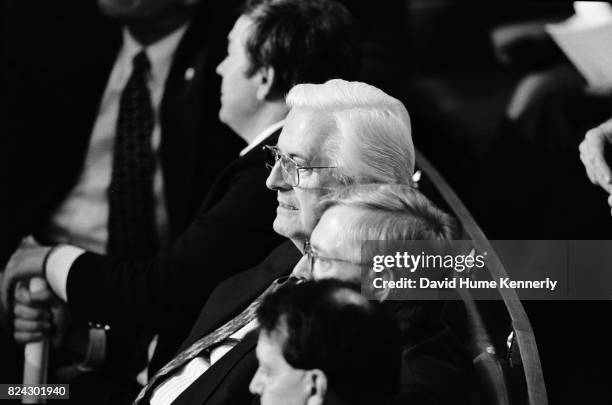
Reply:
x=55, y=69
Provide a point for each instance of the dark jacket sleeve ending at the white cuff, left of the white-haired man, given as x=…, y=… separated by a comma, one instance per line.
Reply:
x=232, y=235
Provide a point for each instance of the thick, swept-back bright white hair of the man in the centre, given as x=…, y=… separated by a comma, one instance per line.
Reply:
x=372, y=140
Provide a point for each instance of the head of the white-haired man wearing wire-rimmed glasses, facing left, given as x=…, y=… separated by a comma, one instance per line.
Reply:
x=336, y=134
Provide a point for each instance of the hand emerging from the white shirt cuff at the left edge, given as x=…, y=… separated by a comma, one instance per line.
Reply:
x=25, y=263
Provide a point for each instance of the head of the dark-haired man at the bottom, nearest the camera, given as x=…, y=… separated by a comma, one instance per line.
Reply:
x=321, y=342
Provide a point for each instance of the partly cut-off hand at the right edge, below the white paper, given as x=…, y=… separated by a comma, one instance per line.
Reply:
x=592, y=155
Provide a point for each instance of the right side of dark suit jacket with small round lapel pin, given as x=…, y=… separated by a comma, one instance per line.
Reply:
x=194, y=150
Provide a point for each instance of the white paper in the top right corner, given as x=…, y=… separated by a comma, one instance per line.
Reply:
x=586, y=39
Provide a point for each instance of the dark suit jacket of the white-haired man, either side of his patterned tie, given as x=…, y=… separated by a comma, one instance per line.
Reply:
x=227, y=381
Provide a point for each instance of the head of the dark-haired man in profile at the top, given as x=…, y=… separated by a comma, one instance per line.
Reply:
x=276, y=44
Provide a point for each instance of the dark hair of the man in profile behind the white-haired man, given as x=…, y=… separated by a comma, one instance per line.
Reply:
x=305, y=42
